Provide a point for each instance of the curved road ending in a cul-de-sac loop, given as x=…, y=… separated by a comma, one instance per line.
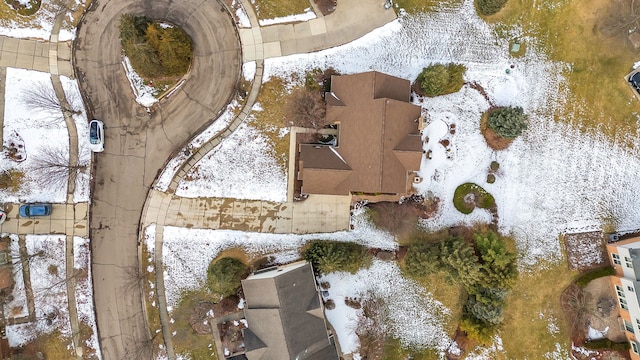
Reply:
x=137, y=144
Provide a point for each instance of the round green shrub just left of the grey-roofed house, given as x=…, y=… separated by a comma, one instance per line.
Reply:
x=224, y=276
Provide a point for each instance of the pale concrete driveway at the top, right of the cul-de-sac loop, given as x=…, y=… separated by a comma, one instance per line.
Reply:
x=351, y=20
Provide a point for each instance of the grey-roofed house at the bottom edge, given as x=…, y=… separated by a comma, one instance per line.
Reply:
x=284, y=316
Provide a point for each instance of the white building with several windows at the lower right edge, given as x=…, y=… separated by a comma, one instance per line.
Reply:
x=625, y=258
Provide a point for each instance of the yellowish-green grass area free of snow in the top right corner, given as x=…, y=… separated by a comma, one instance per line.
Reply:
x=569, y=32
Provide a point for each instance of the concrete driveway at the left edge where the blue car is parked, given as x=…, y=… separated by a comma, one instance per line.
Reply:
x=70, y=219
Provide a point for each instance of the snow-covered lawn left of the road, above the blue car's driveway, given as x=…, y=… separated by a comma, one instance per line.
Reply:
x=44, y=136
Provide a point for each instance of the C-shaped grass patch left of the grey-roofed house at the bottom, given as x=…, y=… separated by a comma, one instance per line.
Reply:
x=186, y=341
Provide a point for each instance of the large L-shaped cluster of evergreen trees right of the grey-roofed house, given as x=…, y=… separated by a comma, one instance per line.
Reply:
x=484, y=267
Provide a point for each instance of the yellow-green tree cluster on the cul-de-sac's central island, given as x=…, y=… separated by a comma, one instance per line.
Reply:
x=155, y=50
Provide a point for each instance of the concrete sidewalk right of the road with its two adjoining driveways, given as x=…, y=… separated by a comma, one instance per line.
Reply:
x=316, y=214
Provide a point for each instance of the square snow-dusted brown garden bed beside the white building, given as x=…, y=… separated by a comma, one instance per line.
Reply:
x=585, y=251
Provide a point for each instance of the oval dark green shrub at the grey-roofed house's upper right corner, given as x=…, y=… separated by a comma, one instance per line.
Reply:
x=332, y=256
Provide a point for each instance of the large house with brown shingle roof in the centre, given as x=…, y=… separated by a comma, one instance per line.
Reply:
x=378, y=147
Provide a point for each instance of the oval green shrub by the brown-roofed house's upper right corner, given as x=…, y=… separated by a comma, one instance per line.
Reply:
x=441, y=79
